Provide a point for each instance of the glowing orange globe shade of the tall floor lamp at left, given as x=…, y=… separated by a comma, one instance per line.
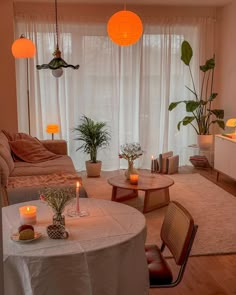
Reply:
x=23, y=48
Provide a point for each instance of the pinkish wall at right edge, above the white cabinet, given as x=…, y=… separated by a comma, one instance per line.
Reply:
x=227, y=60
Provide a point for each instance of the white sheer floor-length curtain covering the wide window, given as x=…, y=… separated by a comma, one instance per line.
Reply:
x=130, y=87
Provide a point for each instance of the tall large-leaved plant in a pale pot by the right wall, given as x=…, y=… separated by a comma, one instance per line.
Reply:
x=200, y=115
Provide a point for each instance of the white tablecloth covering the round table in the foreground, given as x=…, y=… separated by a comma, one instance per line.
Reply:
x=104, y=254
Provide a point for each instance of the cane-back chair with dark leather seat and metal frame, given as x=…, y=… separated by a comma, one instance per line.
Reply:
x=177, y=233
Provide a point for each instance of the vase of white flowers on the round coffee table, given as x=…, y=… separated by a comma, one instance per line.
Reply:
x=130, y=152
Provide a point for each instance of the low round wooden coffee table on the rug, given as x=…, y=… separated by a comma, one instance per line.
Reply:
x=155, y=186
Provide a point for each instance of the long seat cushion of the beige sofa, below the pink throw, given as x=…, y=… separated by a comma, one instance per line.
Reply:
x=62, y=164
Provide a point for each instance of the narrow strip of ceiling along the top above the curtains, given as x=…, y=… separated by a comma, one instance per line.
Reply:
x=143, y=2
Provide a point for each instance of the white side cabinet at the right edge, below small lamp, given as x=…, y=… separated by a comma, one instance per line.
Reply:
x=225, y=160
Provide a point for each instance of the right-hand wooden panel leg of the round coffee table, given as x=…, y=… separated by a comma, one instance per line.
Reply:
x=156, y=199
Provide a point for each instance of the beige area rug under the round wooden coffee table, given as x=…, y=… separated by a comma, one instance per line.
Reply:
x=213, y=209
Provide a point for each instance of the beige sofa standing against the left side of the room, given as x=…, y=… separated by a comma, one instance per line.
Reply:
x=22, y=181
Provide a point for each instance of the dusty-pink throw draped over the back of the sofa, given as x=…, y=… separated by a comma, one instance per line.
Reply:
x=31, y=151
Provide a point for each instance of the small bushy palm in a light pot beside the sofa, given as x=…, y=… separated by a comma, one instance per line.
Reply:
x=92, y=137
